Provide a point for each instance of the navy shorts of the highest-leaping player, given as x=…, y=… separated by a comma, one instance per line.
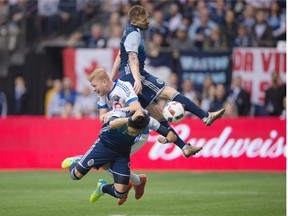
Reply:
x=152, y=86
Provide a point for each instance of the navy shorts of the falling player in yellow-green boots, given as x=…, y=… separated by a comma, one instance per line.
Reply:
x=99, y=155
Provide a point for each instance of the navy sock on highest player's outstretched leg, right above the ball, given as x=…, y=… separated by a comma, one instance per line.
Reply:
x=190, y=106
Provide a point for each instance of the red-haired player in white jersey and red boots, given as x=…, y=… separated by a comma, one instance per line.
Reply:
x=120, y=95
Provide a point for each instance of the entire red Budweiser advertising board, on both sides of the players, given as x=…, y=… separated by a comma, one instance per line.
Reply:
x=229, y=144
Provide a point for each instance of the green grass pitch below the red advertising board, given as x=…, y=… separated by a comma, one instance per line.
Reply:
x=180, y=193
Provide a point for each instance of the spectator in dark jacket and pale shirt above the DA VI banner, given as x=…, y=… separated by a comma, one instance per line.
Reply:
x=261, y=31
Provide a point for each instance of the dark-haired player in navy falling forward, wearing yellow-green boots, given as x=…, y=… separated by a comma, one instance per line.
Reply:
x=113, y=147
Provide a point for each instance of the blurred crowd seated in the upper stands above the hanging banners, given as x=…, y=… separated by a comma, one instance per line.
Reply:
x=202, y=24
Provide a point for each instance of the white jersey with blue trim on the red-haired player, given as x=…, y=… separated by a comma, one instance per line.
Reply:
x=121, y=96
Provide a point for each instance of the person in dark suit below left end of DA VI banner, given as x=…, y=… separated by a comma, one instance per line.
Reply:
x=240, y=97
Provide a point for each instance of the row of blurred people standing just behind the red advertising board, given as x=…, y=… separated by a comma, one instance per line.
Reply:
x=62, y=100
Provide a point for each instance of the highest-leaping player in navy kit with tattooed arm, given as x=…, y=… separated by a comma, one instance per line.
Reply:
x=130, y=62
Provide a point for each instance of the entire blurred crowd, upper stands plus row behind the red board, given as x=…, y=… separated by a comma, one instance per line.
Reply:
x=174, y=25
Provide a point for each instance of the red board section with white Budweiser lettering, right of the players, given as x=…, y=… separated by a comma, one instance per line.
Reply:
x=230, y=144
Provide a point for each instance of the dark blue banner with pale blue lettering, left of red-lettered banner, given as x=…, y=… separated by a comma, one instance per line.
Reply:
x=195, y=66
